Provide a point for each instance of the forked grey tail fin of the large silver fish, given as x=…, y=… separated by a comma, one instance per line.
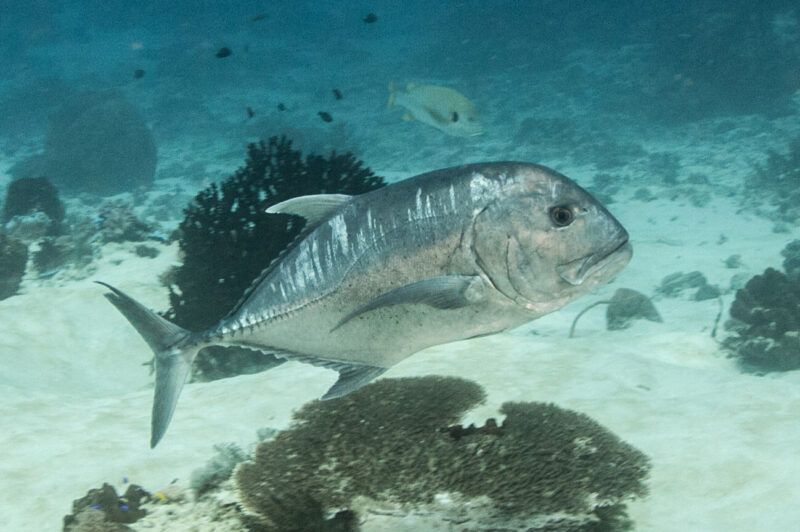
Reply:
x=174, y=356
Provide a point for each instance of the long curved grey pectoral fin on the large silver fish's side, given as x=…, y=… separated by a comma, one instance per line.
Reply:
x=444, y=292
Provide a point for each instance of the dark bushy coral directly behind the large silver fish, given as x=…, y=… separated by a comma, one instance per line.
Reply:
x=227, y=238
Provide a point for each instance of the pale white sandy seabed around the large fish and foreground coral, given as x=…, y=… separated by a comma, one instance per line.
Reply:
x=76, y=401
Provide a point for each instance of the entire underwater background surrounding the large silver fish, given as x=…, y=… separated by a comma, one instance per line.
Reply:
x=141, y=141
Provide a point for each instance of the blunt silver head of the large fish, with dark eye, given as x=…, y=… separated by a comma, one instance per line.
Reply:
x=542, y=240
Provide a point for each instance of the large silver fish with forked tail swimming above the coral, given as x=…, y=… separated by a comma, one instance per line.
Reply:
x=443, y=256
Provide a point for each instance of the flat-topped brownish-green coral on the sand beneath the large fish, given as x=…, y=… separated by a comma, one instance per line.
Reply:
x=392, y=445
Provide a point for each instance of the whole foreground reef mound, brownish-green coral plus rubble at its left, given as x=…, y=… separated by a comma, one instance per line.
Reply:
x=393, y=456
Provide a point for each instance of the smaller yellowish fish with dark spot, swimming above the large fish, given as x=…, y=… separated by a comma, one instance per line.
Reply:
x=443, y=108
